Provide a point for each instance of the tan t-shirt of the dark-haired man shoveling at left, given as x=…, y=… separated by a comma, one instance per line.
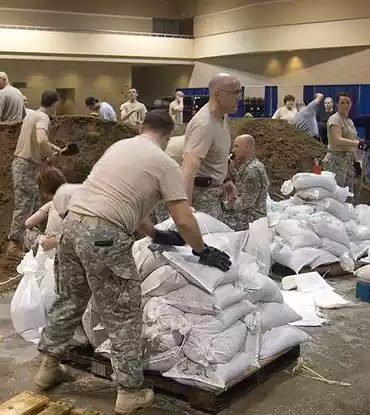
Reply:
x=27, y=146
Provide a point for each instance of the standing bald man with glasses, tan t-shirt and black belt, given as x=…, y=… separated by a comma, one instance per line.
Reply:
x=207, y=146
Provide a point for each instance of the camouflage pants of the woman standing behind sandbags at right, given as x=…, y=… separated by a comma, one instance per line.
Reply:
x=341, y=163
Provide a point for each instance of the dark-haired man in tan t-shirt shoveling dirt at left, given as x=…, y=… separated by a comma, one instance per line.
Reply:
x=32, y=144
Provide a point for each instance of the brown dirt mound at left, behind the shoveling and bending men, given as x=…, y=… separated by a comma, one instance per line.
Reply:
x=91, y=135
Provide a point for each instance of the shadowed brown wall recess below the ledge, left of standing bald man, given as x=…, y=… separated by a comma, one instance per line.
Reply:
x=155, y=81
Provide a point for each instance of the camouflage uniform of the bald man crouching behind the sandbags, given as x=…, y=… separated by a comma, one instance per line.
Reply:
x=252, y=184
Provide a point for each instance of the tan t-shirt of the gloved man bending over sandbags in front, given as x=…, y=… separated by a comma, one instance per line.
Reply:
x=127, y=183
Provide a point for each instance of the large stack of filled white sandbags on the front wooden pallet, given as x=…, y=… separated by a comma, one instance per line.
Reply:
x=202, y=326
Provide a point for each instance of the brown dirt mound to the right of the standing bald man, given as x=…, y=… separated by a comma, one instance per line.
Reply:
x=283, y=149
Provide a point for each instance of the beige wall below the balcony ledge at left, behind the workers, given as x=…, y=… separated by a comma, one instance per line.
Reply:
x=103, y=80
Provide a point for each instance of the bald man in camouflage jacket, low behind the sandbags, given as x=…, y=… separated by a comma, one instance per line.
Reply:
x=253, y=183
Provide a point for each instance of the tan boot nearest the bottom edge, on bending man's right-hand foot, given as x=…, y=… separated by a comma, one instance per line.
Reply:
x=130, y=401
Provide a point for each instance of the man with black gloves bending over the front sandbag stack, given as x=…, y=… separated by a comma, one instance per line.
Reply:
x=95, y=253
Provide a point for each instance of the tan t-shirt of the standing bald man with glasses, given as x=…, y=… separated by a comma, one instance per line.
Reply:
x=210, y=140
